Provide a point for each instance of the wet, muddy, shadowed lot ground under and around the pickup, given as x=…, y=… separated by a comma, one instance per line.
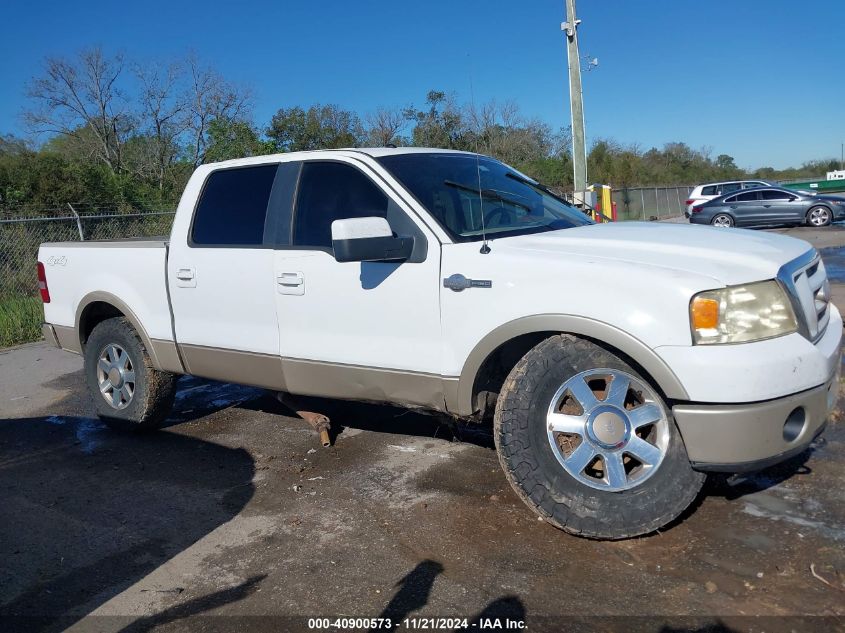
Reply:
x=235, y=517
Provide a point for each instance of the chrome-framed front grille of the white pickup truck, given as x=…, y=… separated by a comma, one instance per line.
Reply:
x=805, y=281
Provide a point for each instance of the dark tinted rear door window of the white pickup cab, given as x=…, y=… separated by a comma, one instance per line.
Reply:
x=233, y=207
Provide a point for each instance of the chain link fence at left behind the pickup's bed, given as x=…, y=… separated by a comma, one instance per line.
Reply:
x=21, y=233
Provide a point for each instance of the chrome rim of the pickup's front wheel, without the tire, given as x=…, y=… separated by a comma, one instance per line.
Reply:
x=607, y=430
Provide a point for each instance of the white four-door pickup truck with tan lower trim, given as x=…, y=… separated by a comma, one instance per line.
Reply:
x=621, y=361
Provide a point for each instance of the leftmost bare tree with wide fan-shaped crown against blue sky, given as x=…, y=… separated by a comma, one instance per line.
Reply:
x=80, y=98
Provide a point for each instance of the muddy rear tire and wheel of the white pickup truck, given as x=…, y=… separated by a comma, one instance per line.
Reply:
x=127, y=392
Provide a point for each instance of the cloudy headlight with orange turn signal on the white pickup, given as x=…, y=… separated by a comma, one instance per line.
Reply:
x=739, y=314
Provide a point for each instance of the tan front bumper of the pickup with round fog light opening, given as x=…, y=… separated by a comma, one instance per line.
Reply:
x=745, y=437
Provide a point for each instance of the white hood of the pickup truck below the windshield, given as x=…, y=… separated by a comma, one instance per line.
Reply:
x=730, y=256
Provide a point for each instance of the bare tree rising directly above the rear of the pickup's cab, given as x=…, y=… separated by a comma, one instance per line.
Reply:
x=210, y=97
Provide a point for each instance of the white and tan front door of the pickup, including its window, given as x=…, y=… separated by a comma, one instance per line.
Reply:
x=364, y=330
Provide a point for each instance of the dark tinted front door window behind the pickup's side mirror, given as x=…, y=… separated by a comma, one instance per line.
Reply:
x=333, y=191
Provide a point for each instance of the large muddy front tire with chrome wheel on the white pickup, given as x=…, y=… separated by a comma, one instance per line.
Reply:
x=589, y=444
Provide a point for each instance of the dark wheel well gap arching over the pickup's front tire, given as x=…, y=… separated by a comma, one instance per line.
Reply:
x=496, y=367
